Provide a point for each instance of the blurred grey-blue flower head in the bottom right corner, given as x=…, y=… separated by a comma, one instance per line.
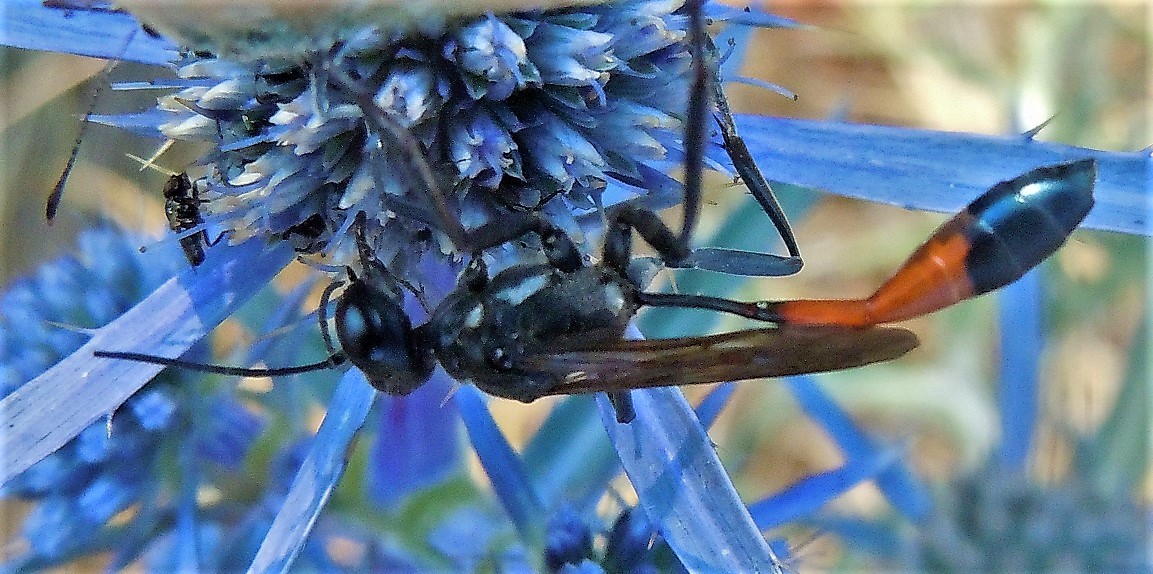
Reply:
x=1001, y=520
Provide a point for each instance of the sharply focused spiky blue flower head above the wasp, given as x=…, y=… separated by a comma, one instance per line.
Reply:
x=470, y=120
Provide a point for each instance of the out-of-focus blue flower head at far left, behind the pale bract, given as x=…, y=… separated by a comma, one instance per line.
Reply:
x=114, y=465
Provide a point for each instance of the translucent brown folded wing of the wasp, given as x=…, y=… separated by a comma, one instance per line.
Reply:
x=606, y=365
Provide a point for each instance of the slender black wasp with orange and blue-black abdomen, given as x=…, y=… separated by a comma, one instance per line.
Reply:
x=557, y=328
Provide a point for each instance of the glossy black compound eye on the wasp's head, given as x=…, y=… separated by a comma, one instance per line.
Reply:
x=379, y=338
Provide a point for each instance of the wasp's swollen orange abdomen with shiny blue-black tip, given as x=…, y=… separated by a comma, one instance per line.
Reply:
x=1006, y=232
